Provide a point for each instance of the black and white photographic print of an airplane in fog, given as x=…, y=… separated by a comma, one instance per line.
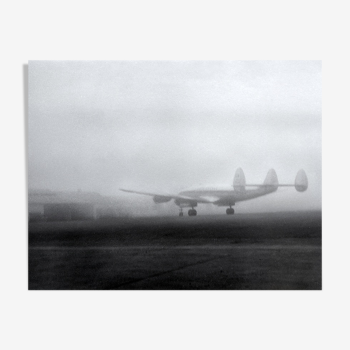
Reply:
x=174, y=175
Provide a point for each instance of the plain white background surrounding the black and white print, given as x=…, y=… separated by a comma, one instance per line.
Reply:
x=173, y=320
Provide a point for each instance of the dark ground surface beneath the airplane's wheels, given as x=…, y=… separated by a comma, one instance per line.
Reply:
x=244, y=251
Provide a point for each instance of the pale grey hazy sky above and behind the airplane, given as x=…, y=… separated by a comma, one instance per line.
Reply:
x=167, y=125
